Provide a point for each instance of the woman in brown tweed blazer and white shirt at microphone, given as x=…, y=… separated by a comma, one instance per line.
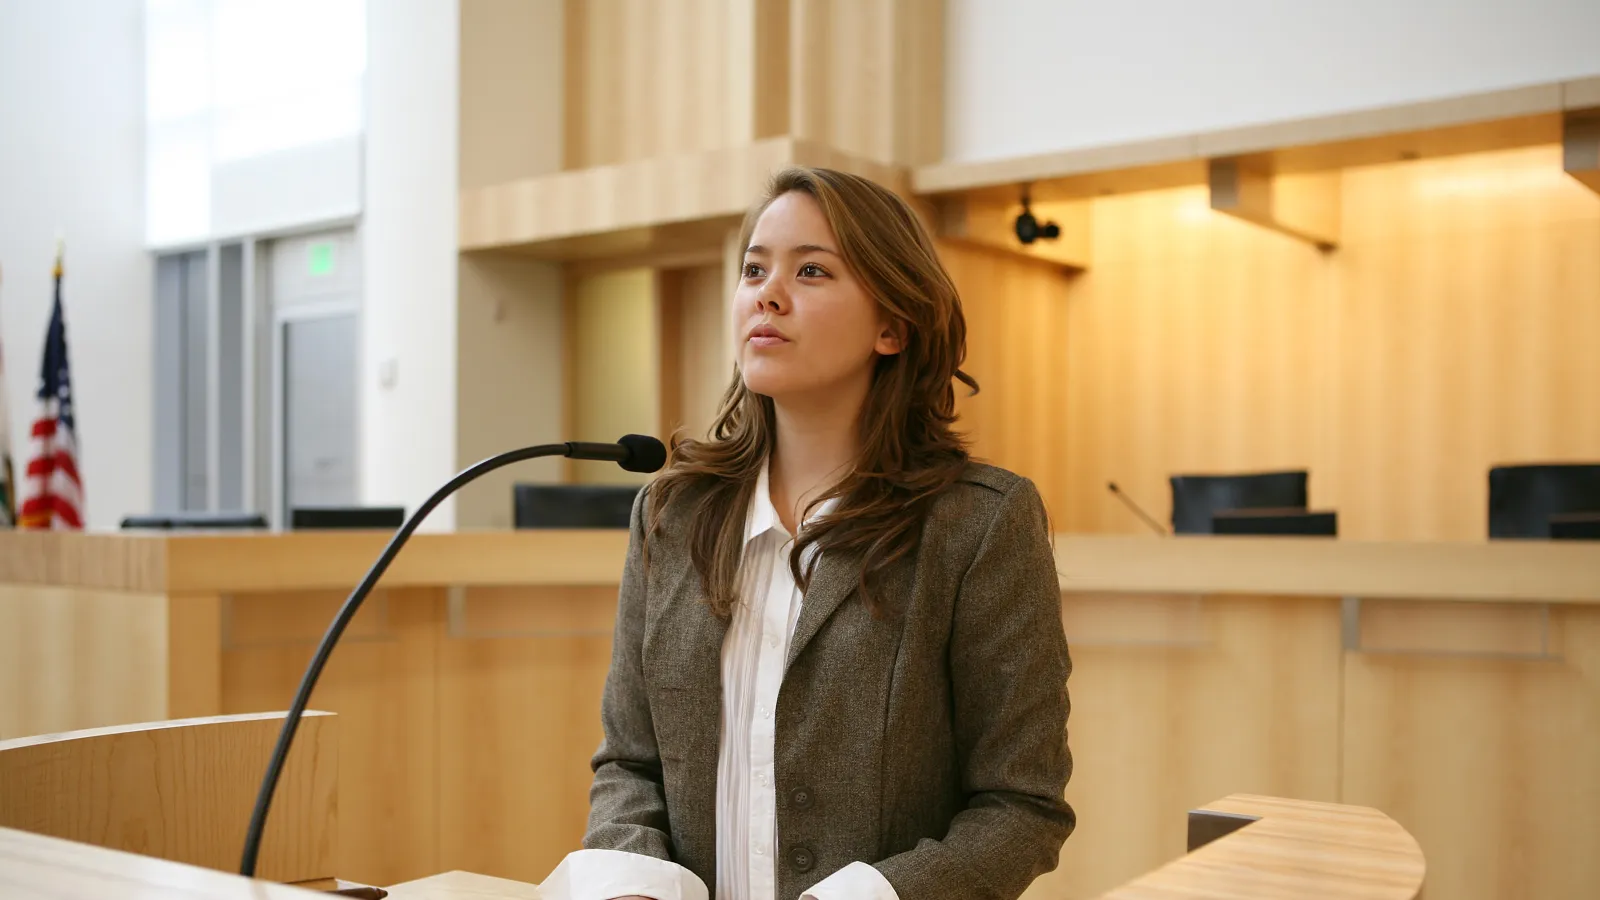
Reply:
x=876, y=709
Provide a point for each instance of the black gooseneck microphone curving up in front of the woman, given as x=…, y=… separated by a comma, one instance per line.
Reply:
x=634, y=452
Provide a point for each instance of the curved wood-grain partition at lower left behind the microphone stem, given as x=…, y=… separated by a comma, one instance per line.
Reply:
x=182, y=790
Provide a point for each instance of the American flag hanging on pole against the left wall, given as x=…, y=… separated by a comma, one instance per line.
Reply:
x=55, y=494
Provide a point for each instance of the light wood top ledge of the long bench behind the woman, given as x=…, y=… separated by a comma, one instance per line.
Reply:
x=290, y=561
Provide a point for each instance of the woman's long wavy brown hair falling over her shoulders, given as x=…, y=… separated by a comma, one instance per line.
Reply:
x=910, y=449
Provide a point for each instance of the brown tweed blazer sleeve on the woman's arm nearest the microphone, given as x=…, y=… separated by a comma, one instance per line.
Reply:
x=628, y=805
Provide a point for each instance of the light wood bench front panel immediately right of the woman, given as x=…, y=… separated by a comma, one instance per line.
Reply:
x=1159, y=731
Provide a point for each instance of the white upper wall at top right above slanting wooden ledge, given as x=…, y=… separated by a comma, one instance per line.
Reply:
x=1038, y=76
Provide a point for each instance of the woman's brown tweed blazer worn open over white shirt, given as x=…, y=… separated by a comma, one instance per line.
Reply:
x=930, y=744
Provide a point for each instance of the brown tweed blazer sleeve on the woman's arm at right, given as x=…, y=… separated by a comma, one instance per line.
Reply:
x=1009, y=675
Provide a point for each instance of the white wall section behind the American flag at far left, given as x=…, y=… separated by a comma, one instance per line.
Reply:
x=73, y=159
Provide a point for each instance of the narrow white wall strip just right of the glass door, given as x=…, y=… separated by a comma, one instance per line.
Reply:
x=409, y=246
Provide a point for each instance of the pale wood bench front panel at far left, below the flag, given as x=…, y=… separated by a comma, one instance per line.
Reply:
x=79, y=657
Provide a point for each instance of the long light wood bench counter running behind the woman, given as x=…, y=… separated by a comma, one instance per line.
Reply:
x=470, y=685
